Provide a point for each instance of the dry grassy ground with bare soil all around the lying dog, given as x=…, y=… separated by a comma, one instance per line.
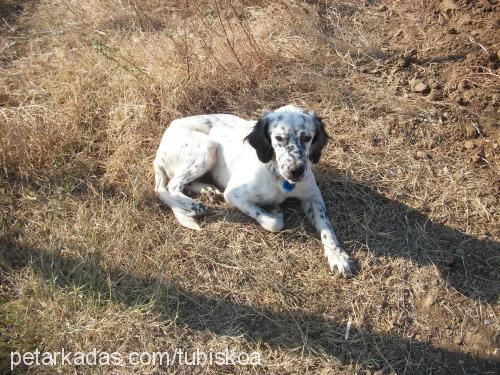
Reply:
x=89, y=258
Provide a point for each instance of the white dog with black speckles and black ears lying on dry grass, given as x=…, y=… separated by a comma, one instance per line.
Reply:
x=256, y=164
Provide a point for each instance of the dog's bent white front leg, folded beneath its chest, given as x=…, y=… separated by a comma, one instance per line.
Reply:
x=239, y=198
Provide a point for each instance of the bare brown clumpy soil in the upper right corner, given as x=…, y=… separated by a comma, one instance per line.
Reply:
x=448, y=53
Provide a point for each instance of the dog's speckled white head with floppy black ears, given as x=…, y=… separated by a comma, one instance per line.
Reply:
x=291, y=137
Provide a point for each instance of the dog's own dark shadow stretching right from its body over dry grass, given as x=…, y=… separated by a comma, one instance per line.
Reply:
x=360, y=215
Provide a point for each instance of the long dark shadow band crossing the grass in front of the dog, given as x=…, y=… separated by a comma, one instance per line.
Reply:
x=221, y=316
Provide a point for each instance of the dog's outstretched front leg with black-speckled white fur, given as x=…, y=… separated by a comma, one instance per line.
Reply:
x=315, y=210
